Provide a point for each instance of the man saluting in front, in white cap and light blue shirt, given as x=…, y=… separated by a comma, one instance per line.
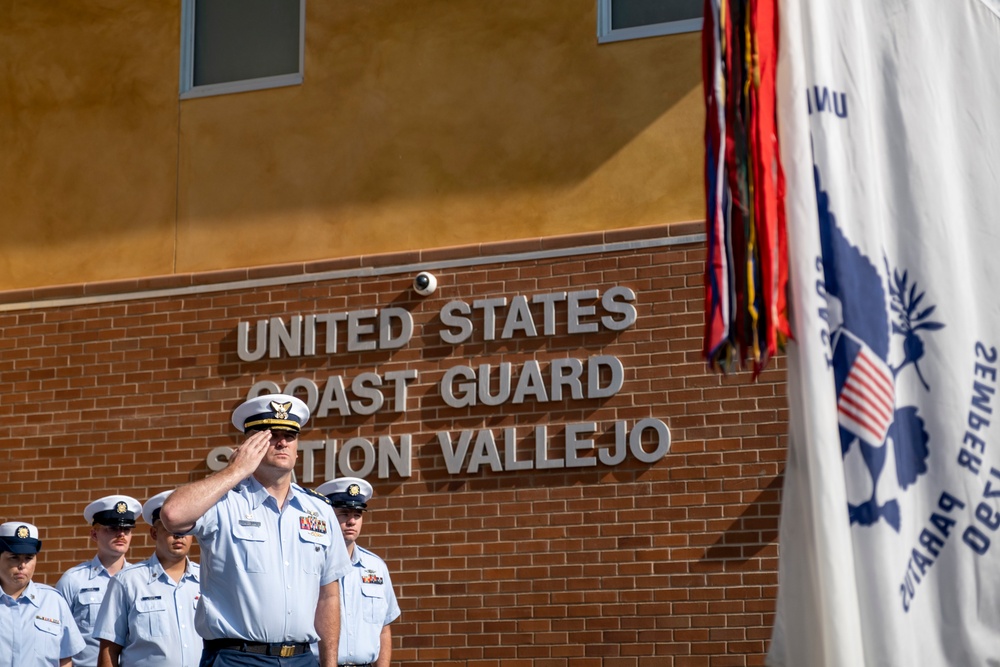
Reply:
x=271, y=556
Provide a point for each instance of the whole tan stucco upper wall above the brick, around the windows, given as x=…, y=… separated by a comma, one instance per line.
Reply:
x=419, y=125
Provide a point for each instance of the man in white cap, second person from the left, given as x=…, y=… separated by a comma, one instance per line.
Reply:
x=111, y=520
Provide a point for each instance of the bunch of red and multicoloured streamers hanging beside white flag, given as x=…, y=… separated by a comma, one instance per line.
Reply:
x=746, y=273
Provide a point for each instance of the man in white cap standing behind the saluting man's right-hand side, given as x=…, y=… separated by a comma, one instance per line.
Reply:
x=368, y=603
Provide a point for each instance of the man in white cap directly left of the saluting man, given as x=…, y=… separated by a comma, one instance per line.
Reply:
x=147, y=617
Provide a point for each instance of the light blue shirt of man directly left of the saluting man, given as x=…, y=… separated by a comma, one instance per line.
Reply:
x=151, y=616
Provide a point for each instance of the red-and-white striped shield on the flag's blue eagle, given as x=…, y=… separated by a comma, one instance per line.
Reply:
x=867, y=398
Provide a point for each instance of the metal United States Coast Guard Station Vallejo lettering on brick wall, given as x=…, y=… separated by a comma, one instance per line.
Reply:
x=555, y=382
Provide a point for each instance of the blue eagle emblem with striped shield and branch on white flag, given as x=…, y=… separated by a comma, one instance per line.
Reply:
x=863, y=321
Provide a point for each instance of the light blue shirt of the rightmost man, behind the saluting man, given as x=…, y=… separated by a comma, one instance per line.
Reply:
x=367, y=604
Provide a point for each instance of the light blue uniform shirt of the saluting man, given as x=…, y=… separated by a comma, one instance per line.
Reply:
x=261, y=567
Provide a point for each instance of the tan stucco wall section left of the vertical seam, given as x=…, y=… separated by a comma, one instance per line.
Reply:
x=88, y=140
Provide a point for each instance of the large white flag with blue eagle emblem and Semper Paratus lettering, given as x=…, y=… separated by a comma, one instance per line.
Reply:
x=889, y=115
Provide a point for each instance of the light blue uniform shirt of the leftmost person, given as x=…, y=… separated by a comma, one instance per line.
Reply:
x=37, y=629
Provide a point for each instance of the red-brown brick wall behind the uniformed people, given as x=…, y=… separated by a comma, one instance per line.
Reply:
x=126, y=387
